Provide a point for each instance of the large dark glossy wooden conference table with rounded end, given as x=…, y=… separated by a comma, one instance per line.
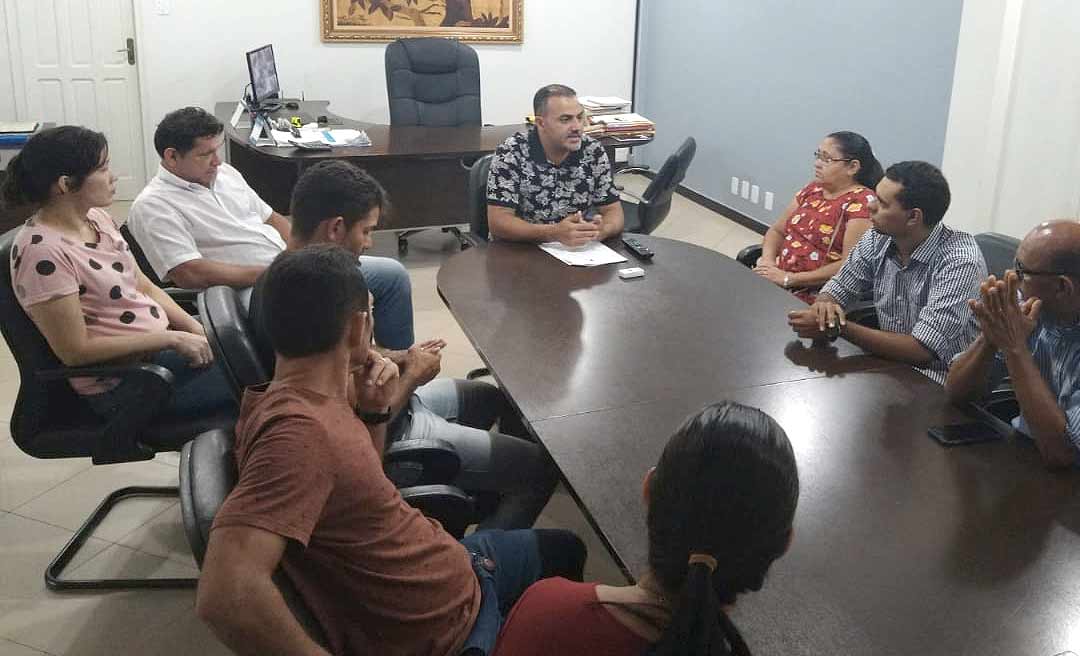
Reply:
x=901, y=546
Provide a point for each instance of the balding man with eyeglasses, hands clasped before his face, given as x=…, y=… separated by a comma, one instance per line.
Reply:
x=1031, y=331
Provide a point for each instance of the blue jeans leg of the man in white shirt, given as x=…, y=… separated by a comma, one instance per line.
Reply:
x=389, y=284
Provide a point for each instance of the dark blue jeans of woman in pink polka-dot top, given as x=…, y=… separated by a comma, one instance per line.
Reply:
x=196, y=392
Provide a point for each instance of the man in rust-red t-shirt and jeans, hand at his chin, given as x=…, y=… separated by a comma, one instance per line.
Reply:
x=313, y=499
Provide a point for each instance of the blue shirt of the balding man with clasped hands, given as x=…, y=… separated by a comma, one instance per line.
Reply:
x=1057, y=352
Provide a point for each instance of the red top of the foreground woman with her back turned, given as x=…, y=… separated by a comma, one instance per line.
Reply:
x=559, y=617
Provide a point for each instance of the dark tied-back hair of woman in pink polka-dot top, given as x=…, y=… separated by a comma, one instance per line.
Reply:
x=48, y=156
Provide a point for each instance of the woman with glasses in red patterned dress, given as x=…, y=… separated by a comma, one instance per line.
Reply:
x=812, y=239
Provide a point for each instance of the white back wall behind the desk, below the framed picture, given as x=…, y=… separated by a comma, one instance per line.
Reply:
x=196, y=57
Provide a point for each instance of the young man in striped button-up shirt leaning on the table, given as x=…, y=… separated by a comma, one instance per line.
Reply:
x=921, y=272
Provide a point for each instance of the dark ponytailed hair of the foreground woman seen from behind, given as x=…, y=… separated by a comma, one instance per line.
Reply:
x=722, y=502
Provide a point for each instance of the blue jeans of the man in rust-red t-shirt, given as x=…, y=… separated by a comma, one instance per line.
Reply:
x=506, y=563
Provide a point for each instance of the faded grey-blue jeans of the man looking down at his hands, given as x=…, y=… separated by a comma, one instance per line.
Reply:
x=463, y=412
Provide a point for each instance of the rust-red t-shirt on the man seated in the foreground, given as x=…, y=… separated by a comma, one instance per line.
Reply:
x=381, y=578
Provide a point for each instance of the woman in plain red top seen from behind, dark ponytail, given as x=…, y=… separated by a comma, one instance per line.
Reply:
x=721, y=506
